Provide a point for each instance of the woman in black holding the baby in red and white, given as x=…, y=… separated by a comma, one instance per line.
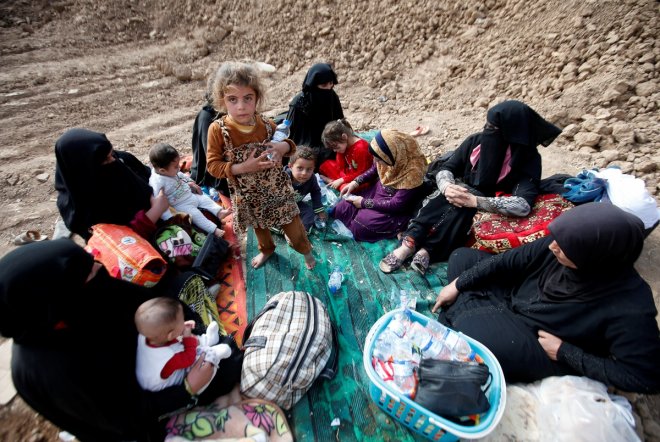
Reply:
x=73, y=356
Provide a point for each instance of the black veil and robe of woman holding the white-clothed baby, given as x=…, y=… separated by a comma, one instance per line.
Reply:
x=90, y=192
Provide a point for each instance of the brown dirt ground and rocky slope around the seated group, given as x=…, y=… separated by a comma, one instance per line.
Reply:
x=137, y=71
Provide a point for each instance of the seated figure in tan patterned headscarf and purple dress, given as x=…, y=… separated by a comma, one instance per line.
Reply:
x=383, y=209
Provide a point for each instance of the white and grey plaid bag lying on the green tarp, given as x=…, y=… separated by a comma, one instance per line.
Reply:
x=288, y=345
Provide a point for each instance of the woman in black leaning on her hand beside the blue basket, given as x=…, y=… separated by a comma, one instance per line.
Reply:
x=569, y=303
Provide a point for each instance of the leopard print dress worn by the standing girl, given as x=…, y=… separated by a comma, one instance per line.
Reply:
x=261, y=199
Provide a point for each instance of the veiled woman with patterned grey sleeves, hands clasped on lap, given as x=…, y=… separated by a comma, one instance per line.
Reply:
x=500, y=160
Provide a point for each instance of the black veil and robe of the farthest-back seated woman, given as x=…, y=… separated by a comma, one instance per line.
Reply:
x=313, y=108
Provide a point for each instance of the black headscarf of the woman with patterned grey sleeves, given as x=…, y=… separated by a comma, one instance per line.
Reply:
x=510, y=123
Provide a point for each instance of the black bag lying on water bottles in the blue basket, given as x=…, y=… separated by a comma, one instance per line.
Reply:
x=452, y=388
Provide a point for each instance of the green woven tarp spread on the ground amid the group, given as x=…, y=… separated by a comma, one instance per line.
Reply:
x=365, y=295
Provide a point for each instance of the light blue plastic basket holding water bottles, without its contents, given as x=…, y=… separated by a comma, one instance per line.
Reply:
x=417, y=418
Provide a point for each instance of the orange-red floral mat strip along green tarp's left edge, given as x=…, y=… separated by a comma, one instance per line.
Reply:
x=232, y=296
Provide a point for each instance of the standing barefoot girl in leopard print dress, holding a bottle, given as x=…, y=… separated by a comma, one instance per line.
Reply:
x=239, y=149
